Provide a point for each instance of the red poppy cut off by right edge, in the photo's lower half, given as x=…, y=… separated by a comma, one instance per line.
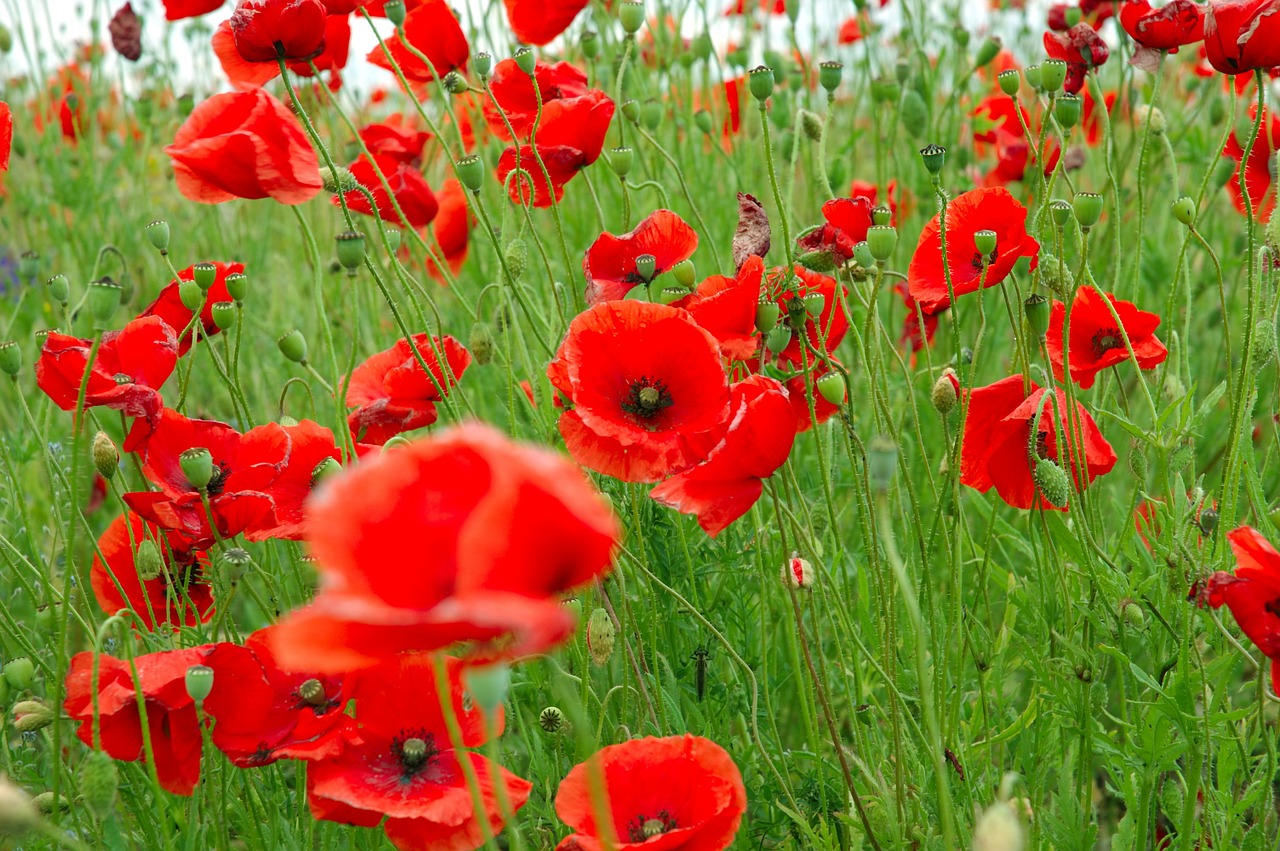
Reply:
x=1252, y=593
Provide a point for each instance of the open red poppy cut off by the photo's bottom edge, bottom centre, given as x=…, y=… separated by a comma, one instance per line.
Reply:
x=675, y=794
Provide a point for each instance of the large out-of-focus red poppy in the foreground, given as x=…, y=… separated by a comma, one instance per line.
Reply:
x=465, y=537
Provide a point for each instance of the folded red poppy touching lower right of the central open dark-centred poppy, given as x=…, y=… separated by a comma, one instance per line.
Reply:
x=758, y=440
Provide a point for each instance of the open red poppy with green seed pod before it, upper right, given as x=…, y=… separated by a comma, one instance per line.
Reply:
x=989, y=209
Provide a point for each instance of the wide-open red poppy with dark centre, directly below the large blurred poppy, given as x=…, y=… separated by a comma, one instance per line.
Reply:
x=405, y=767
